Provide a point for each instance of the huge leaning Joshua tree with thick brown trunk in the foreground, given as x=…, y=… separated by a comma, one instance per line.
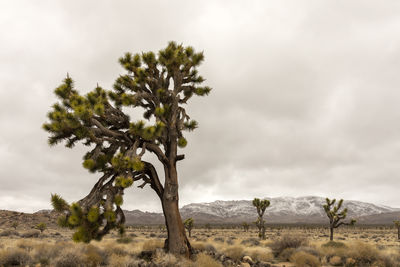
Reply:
x=161, y=85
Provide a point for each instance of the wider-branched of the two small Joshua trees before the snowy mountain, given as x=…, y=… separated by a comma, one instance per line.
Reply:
x=335, y=215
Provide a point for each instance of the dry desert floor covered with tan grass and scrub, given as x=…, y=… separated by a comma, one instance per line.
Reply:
x=142, y=246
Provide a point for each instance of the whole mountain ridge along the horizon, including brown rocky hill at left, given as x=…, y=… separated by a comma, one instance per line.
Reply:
x=283, y=210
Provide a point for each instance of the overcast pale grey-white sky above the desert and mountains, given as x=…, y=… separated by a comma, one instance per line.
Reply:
x=305, y=98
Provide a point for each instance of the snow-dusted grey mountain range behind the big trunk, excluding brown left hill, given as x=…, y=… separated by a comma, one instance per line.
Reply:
x=282, y=210
